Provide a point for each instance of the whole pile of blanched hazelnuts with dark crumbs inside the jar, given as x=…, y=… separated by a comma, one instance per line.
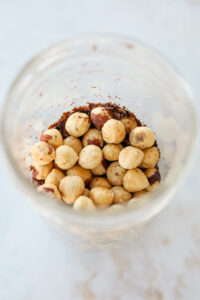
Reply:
x=96, y=156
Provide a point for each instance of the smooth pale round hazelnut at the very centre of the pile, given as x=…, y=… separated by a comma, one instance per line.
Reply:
x=90, y=157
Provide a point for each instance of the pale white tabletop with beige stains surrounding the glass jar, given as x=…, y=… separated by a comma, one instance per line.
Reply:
x=164, y=262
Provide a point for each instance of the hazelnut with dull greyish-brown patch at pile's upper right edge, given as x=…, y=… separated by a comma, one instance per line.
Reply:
x=142, y=137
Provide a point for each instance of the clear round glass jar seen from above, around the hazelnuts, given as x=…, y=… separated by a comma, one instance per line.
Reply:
x=99, y=68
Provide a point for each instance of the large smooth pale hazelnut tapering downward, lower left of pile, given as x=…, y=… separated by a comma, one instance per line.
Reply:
x=71, y=187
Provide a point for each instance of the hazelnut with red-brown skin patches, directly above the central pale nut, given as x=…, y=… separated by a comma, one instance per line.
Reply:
x=93, y=137
